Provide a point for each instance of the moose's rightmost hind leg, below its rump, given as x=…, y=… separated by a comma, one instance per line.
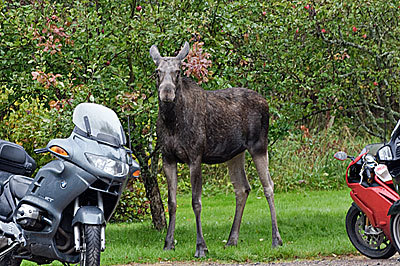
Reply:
x=261, y=162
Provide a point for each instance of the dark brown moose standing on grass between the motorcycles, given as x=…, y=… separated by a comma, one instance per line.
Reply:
x=196, y=126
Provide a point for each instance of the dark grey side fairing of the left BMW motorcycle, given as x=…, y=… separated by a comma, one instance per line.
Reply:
x=48, y=193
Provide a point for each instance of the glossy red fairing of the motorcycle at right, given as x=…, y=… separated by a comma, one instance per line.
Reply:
x=377, y=198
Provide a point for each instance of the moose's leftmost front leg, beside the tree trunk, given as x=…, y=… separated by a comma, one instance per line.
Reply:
x=170, y=171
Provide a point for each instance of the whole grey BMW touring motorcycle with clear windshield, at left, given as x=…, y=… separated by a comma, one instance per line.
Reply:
x=62, y=213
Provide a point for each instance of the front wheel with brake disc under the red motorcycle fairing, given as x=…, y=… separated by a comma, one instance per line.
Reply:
x=368, y=240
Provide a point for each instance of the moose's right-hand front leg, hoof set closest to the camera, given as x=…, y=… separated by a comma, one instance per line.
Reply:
x=196, y=181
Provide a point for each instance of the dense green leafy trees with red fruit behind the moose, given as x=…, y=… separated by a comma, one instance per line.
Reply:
x=320, y=64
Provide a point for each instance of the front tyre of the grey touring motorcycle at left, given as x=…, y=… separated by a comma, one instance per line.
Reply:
x=90, y=254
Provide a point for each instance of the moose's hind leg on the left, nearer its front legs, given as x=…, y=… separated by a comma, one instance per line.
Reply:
x=242, y=189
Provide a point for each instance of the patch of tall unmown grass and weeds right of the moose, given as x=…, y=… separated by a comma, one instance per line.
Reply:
x=305, y=160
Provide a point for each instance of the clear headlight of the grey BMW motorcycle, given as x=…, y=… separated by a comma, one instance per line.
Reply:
x=110, y=166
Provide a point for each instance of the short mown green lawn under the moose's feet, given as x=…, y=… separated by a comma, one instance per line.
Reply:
x=311, y=225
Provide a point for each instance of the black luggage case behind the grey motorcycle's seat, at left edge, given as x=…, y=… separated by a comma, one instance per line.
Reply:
x=15, y=160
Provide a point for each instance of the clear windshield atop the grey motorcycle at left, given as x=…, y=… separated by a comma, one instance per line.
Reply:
x=99, y=122
